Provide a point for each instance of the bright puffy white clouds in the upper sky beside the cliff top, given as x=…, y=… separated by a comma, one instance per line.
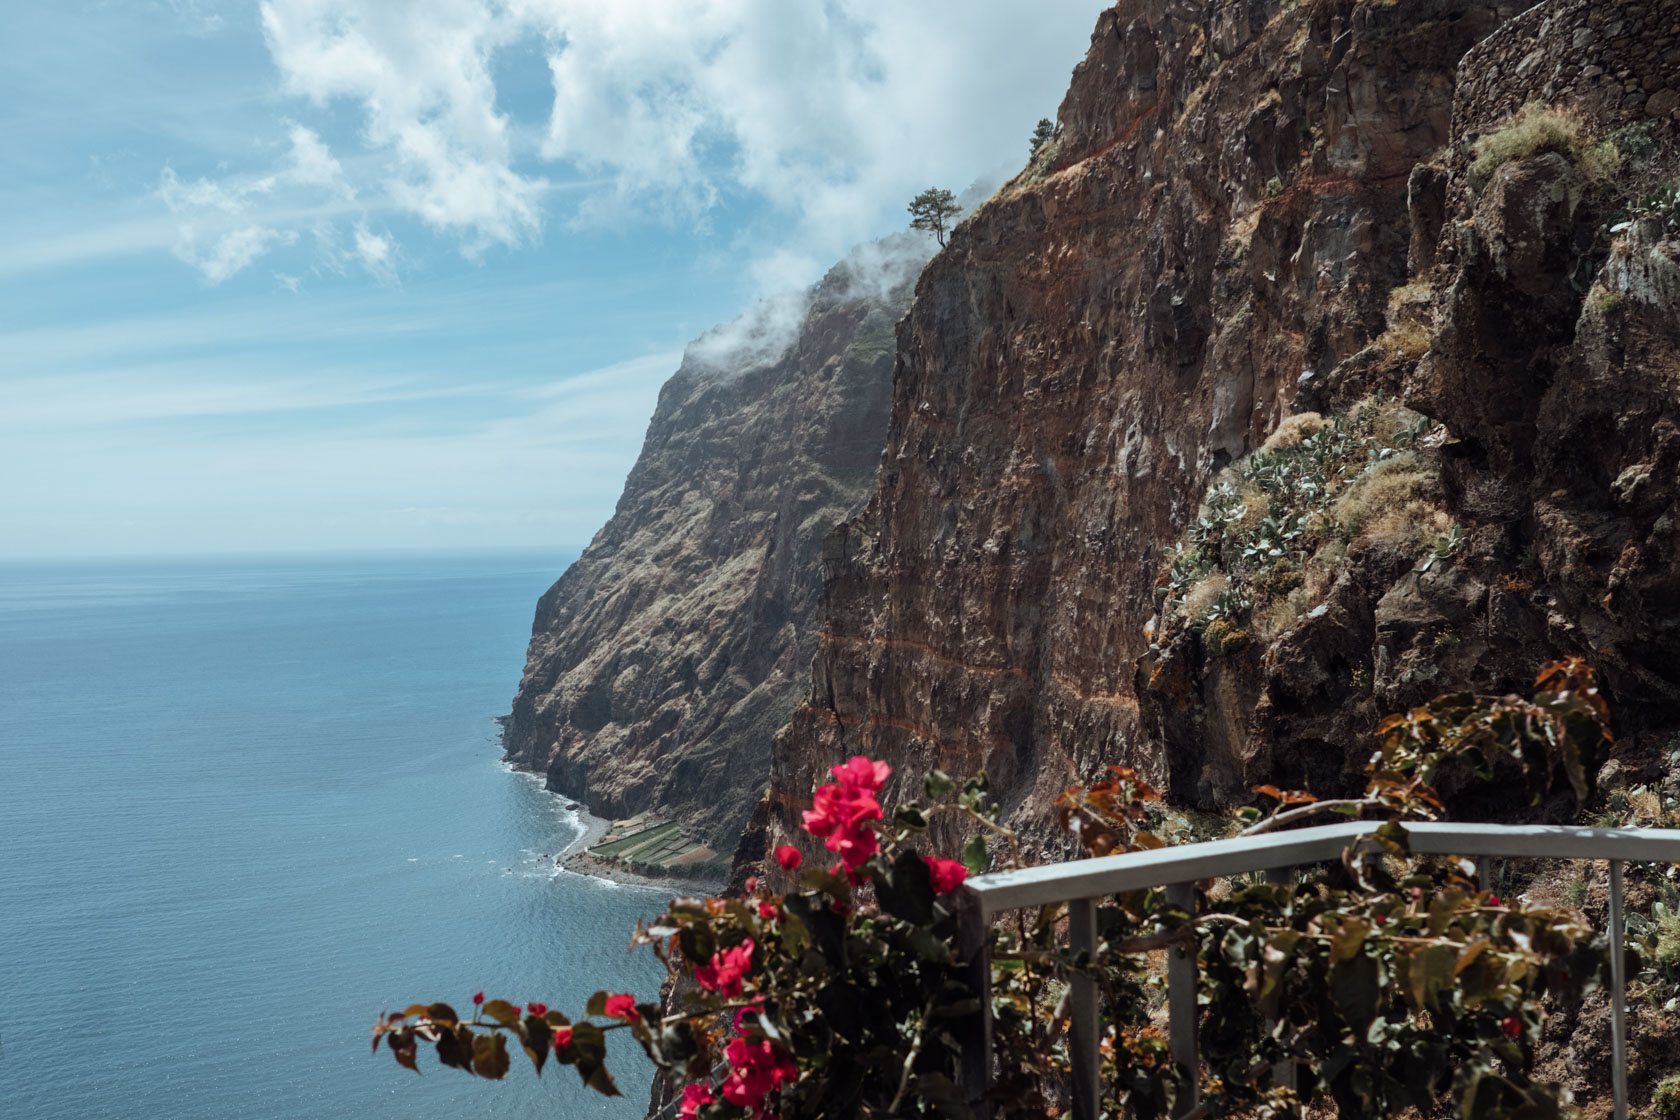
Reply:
x=826, y=115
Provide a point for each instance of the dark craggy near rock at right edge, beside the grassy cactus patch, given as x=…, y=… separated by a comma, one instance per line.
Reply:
x=1551, y=364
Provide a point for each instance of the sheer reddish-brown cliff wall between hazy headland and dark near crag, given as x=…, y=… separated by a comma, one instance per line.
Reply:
x=1226, y=216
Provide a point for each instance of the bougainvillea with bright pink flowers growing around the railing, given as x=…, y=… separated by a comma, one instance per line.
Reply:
x=1385, y=983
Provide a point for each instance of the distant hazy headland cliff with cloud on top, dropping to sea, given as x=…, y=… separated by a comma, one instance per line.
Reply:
x=668, y=656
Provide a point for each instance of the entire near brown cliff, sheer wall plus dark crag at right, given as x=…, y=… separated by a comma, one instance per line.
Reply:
x=1210, y=246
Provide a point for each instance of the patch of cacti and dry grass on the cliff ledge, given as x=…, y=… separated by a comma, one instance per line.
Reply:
x=1276, y=526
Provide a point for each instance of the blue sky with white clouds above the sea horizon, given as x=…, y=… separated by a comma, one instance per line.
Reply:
x=407, y=275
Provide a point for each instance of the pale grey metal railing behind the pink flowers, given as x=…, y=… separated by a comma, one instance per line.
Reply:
x=1084, y=882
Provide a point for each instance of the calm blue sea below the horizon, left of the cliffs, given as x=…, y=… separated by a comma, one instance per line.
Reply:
x=246, y=807
